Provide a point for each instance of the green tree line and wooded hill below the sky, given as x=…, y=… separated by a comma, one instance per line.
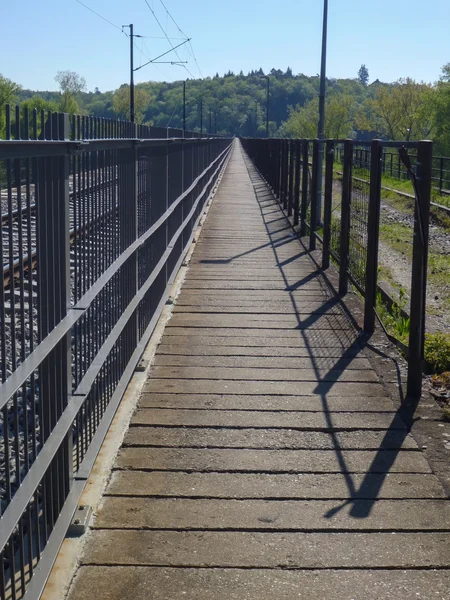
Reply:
x=235, y=104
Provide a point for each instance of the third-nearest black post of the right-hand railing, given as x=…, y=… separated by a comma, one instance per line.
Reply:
x=345, y=218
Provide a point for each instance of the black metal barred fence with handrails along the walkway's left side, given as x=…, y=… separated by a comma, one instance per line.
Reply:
x=97, y=216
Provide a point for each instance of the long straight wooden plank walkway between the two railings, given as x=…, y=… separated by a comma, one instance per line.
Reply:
x=265, y=460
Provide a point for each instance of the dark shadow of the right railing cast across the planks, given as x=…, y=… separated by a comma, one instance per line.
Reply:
x=360, y=499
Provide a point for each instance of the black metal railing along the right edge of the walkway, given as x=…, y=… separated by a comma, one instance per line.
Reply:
x=348, y=229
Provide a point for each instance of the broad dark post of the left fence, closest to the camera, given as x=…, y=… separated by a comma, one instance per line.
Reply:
x=53, y=275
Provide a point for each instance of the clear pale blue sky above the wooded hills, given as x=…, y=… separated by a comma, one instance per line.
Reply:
x=394, y=38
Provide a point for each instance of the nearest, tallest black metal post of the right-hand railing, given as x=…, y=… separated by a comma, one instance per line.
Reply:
x=419, y=269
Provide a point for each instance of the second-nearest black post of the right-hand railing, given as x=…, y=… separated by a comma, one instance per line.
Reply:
x=373, y=231
